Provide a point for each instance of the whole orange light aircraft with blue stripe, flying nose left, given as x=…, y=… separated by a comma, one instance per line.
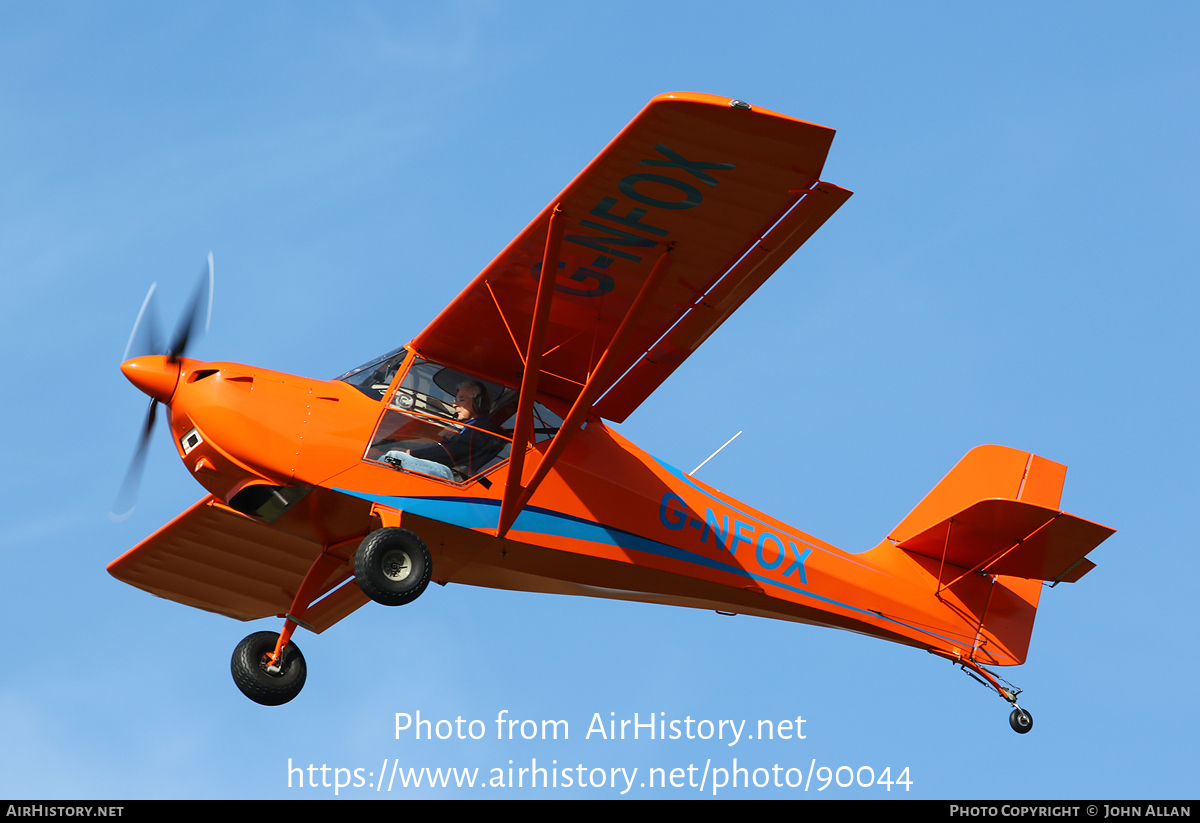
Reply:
x=479, y=454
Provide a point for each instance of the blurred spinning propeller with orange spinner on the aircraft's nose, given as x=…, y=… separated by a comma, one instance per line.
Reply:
x=154, y=369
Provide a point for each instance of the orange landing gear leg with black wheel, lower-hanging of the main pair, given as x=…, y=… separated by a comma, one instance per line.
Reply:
x=268, y=668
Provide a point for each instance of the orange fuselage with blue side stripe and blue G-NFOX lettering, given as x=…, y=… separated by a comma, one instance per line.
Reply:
x=609, y=521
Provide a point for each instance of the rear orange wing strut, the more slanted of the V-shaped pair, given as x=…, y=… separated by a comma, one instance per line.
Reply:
x=584, y=404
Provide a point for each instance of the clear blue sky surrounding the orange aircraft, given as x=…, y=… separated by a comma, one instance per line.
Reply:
x=1017, y=267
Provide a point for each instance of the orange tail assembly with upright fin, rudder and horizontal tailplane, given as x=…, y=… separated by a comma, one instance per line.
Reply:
x=997, y=513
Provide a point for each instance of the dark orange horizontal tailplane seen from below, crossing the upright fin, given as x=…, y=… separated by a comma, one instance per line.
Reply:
x=1012, y=538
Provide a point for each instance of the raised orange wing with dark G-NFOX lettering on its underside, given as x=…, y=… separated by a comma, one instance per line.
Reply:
x=730, y=190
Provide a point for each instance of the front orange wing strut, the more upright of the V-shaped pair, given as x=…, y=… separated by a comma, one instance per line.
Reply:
x=523, y=429
